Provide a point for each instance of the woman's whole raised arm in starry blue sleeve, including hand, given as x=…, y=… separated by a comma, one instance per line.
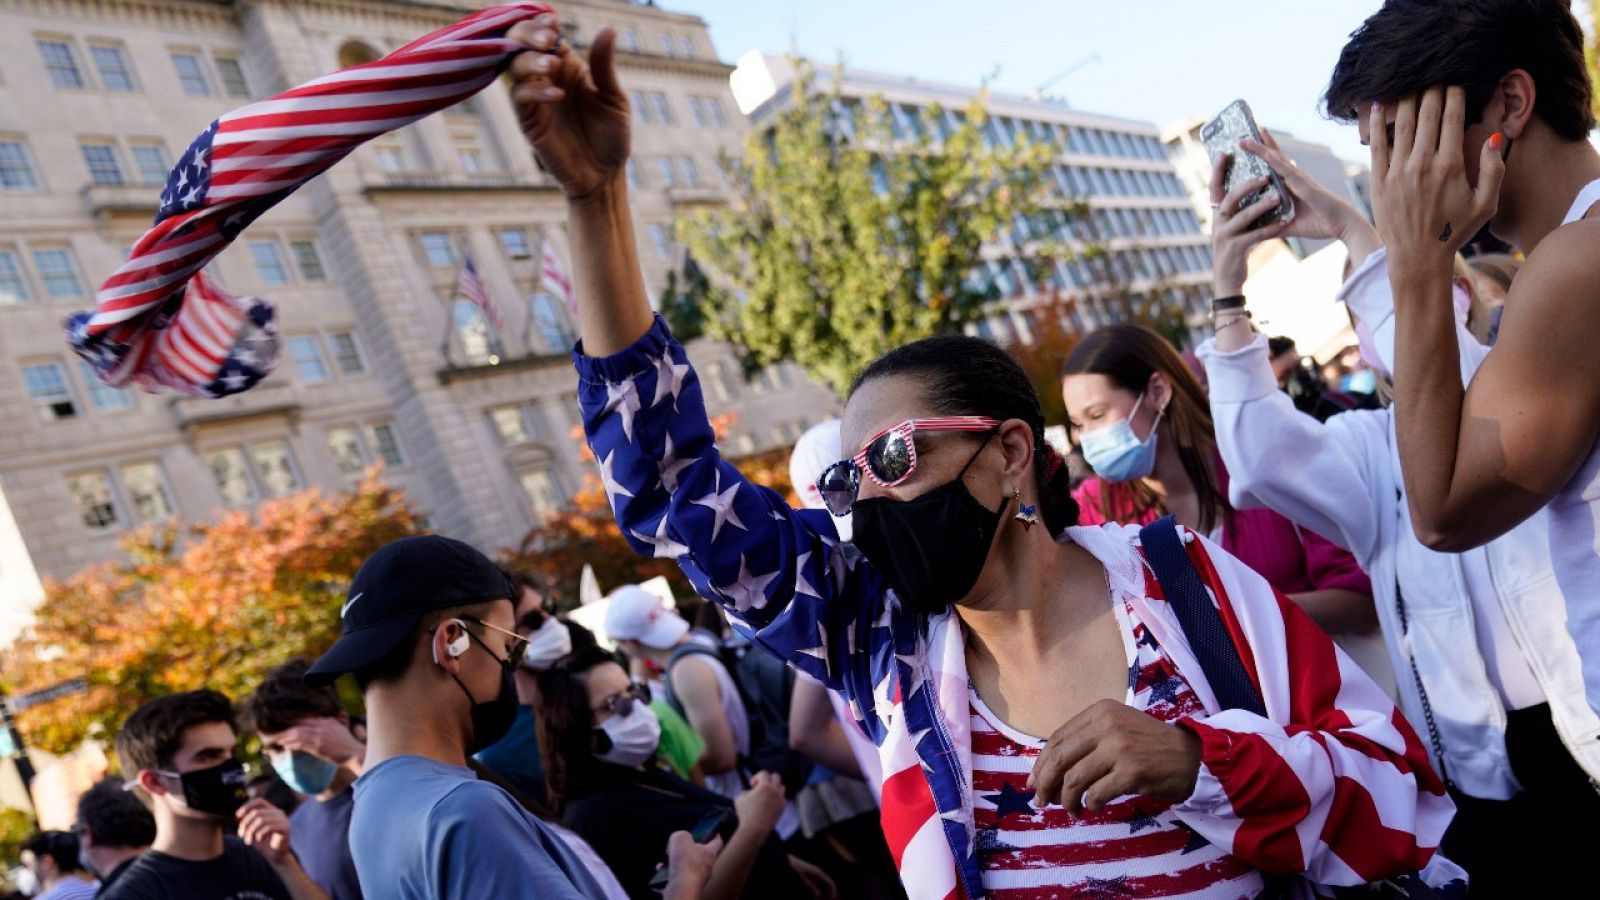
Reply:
x=780, y=574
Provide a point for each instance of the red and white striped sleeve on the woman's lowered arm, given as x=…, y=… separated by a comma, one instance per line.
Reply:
x=1334, y=782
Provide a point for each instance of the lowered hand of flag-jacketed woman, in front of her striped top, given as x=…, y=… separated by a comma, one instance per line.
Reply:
x=1113, y=750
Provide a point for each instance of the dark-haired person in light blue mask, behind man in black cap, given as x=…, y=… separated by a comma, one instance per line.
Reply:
x=306, y=739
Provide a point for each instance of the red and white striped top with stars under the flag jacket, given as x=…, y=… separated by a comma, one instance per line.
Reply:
x=1132, y=848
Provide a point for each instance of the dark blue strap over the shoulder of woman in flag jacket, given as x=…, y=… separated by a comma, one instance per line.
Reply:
x=1201, y=621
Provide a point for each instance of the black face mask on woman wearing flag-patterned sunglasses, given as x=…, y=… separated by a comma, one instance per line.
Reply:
x=932, y=548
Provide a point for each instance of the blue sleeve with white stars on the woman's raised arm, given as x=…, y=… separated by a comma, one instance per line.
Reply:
x=778, y=573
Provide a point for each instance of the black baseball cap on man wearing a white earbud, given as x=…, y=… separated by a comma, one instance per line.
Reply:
x=393, y=590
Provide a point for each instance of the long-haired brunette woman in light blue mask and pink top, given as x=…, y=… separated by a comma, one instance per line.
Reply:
x=1126, y=380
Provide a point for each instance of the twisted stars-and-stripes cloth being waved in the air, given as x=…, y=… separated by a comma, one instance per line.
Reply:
x=161, y=321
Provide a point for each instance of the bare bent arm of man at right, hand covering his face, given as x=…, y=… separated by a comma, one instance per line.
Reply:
x=1481, y=460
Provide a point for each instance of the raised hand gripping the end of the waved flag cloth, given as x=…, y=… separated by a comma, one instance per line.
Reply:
x=575, y=115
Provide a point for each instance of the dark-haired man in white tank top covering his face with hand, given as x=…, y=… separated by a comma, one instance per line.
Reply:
x=1481, y=113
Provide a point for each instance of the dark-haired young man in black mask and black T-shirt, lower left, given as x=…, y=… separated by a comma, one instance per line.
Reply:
x=180, y=750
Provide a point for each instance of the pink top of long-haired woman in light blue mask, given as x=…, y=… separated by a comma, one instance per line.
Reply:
x=1290, y=558
